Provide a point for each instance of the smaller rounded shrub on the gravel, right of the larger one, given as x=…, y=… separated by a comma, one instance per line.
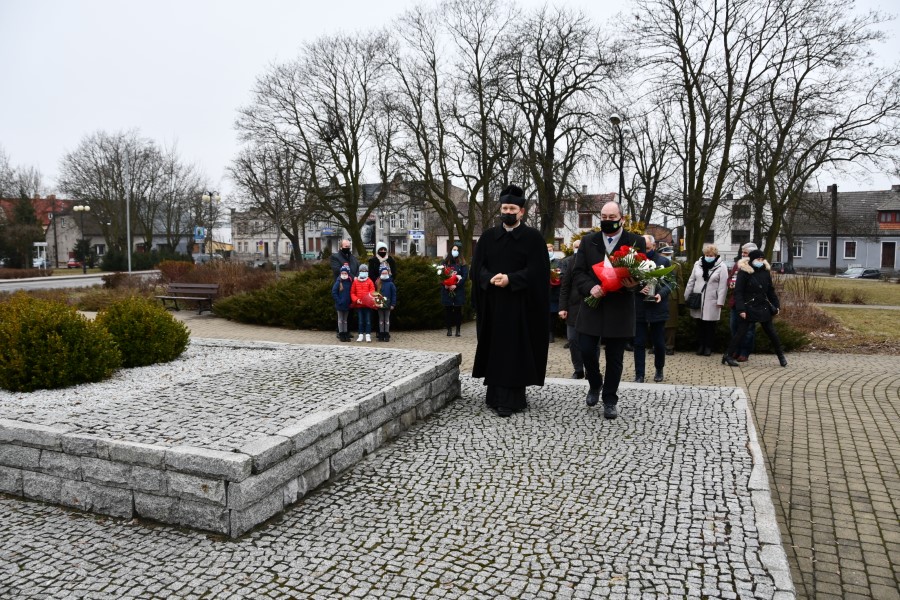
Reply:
x=144, y=331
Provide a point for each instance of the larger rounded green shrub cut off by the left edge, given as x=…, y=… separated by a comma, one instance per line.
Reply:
x=48, y=345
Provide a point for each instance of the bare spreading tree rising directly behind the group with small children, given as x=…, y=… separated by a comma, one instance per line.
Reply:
x=332, y=108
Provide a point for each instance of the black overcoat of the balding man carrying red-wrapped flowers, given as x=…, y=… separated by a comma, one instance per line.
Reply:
x=614, y=317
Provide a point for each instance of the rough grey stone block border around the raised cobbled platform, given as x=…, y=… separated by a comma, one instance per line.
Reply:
x=224, y=492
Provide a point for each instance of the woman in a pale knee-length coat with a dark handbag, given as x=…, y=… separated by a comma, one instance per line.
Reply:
x=709, y=278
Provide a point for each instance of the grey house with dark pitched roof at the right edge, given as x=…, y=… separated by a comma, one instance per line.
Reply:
x=868, y=227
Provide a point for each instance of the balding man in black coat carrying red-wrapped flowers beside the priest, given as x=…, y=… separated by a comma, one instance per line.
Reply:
x=613, y=319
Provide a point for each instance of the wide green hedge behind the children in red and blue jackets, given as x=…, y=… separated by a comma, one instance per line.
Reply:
x=303, y=300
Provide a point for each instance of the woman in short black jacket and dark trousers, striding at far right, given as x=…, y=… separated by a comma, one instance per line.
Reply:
x=755, y=301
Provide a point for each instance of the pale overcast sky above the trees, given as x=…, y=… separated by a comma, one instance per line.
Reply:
x=178, y=70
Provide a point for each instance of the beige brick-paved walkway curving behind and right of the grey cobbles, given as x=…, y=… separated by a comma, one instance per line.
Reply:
x=830, y=429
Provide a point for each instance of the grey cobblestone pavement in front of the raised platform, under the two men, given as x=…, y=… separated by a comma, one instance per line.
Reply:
x=554, y=502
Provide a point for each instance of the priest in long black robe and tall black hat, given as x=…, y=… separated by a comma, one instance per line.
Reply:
x=509, y=287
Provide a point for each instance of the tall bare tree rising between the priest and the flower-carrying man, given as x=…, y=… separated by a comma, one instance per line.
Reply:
x=558, y=73
